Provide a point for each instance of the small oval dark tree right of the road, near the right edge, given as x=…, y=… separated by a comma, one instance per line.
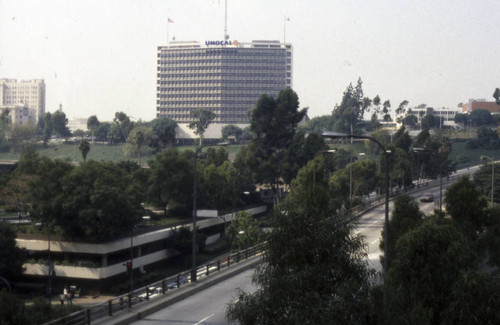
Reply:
x=465, y=204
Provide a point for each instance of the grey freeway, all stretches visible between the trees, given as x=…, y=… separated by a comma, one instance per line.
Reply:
x=209, y=306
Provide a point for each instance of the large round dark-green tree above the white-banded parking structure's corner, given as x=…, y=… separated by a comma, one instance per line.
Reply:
x=99, y=203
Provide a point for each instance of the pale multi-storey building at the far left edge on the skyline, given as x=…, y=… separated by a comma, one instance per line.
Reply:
x=24, y=93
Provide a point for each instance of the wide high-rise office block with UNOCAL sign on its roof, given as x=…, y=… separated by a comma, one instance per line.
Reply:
x=225, y=77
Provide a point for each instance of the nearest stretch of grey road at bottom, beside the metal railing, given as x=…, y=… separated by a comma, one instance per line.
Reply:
x=205, y=308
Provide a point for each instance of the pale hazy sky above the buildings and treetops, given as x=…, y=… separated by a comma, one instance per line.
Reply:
x=99, y=56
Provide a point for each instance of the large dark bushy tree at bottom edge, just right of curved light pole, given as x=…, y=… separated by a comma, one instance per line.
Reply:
x=427, y=262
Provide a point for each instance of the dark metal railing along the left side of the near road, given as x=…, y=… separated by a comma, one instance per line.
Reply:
x=154, y=290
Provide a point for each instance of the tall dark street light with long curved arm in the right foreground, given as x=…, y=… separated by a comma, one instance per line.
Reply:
x=336, y=135
